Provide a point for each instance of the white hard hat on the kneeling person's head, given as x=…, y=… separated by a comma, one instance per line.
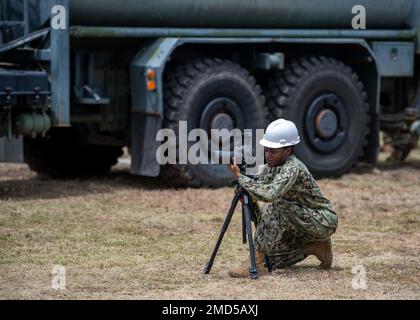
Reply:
x=281, y=134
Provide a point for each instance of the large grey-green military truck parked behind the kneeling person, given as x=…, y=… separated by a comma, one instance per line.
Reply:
x=82, y=79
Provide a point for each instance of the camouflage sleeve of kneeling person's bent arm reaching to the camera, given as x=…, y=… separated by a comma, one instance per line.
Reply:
x=272, y=190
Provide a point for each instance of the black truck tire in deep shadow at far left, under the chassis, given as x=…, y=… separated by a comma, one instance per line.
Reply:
x=62, y=156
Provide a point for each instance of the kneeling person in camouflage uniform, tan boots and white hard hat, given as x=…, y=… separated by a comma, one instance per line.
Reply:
x=298, y=220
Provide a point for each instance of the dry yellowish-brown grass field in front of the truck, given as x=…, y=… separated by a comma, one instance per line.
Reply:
x=124, y=237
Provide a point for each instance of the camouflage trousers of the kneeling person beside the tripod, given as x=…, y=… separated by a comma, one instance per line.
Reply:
x=284, y=228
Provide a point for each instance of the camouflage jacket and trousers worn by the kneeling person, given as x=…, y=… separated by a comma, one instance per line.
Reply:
x=297, y=213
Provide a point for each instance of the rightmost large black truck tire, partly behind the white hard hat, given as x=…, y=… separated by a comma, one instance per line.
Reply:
x=329, y=105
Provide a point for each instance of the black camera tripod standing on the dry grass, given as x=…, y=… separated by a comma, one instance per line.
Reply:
x=248, y=214
